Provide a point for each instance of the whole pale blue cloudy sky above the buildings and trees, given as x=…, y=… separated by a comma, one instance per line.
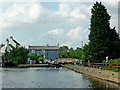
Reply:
x=41, y=23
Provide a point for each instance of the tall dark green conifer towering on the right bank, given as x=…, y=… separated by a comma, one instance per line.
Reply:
x=103, y=39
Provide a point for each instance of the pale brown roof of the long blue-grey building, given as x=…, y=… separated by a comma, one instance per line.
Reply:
x=44, y=47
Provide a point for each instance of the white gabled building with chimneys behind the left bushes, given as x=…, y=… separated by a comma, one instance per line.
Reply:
x=9, y=45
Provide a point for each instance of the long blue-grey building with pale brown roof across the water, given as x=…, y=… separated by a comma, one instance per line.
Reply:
x=49, y=52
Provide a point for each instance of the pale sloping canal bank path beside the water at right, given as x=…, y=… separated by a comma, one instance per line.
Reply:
x=98, y=73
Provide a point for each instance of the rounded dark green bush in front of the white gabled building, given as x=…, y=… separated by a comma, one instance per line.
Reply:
x=17, y=55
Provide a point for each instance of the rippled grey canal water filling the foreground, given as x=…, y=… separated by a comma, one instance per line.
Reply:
x=43, y=77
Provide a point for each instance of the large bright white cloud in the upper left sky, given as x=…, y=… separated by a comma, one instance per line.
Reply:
x=19, y=13
